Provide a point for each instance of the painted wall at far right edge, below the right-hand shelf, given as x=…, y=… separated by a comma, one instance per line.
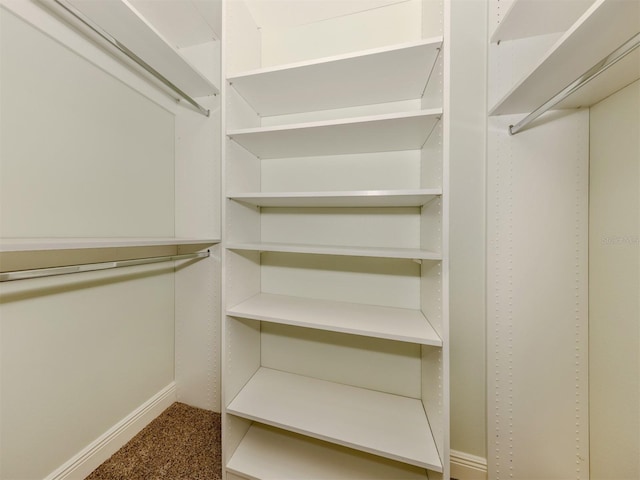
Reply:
x=614, y=286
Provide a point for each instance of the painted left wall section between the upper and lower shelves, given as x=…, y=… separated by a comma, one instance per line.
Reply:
x=76, y=163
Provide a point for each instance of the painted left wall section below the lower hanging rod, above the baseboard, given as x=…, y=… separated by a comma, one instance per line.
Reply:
x=78, y=354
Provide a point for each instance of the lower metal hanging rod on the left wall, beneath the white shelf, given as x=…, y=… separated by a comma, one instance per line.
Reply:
x=92, y=267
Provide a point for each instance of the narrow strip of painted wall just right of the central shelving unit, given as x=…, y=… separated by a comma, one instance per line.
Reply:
x=467, y=236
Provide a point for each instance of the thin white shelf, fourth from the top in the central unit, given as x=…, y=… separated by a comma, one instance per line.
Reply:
x=381, y=252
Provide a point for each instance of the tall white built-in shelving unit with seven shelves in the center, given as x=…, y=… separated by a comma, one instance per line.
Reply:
x=336, y=202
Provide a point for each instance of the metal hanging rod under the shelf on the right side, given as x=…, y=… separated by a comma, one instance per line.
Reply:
x=585, y=78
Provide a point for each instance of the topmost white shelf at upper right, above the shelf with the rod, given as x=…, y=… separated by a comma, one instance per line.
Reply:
x=528, y=18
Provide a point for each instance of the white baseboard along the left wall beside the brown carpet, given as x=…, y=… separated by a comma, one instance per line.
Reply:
x=92, y=456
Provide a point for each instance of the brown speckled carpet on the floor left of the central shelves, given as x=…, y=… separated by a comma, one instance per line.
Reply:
x=183, y=443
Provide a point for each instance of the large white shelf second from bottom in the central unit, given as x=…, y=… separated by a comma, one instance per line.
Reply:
x=383, y=424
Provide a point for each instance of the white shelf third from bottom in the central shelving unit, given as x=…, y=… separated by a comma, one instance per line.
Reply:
x=400, y=324
